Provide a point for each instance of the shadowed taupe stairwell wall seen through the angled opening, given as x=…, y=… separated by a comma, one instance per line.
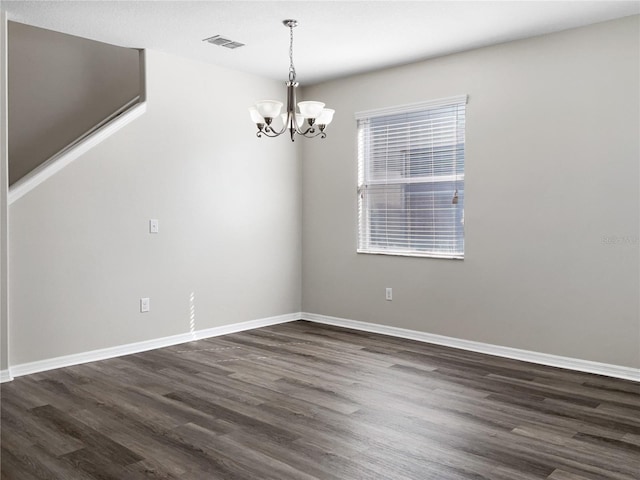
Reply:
x=60, y=86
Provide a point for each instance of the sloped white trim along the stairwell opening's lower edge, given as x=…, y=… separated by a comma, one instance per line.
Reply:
x=48, y=169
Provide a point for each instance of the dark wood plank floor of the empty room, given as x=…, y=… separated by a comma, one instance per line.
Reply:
x=305, y=401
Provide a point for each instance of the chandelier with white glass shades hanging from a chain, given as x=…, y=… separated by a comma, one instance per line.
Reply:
x=310, y=121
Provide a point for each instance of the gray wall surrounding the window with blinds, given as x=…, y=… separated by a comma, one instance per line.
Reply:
x=551, y=193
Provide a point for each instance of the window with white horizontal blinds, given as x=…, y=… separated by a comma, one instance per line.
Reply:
x=411, y=179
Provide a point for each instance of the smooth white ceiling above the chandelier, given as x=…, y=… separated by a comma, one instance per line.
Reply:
x=333, y=39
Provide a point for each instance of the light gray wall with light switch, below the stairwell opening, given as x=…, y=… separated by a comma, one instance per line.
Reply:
x=229, y=210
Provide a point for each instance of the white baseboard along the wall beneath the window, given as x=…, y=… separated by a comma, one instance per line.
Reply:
x=616, y=371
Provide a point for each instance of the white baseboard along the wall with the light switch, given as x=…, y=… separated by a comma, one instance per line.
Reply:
x=106, y=353
